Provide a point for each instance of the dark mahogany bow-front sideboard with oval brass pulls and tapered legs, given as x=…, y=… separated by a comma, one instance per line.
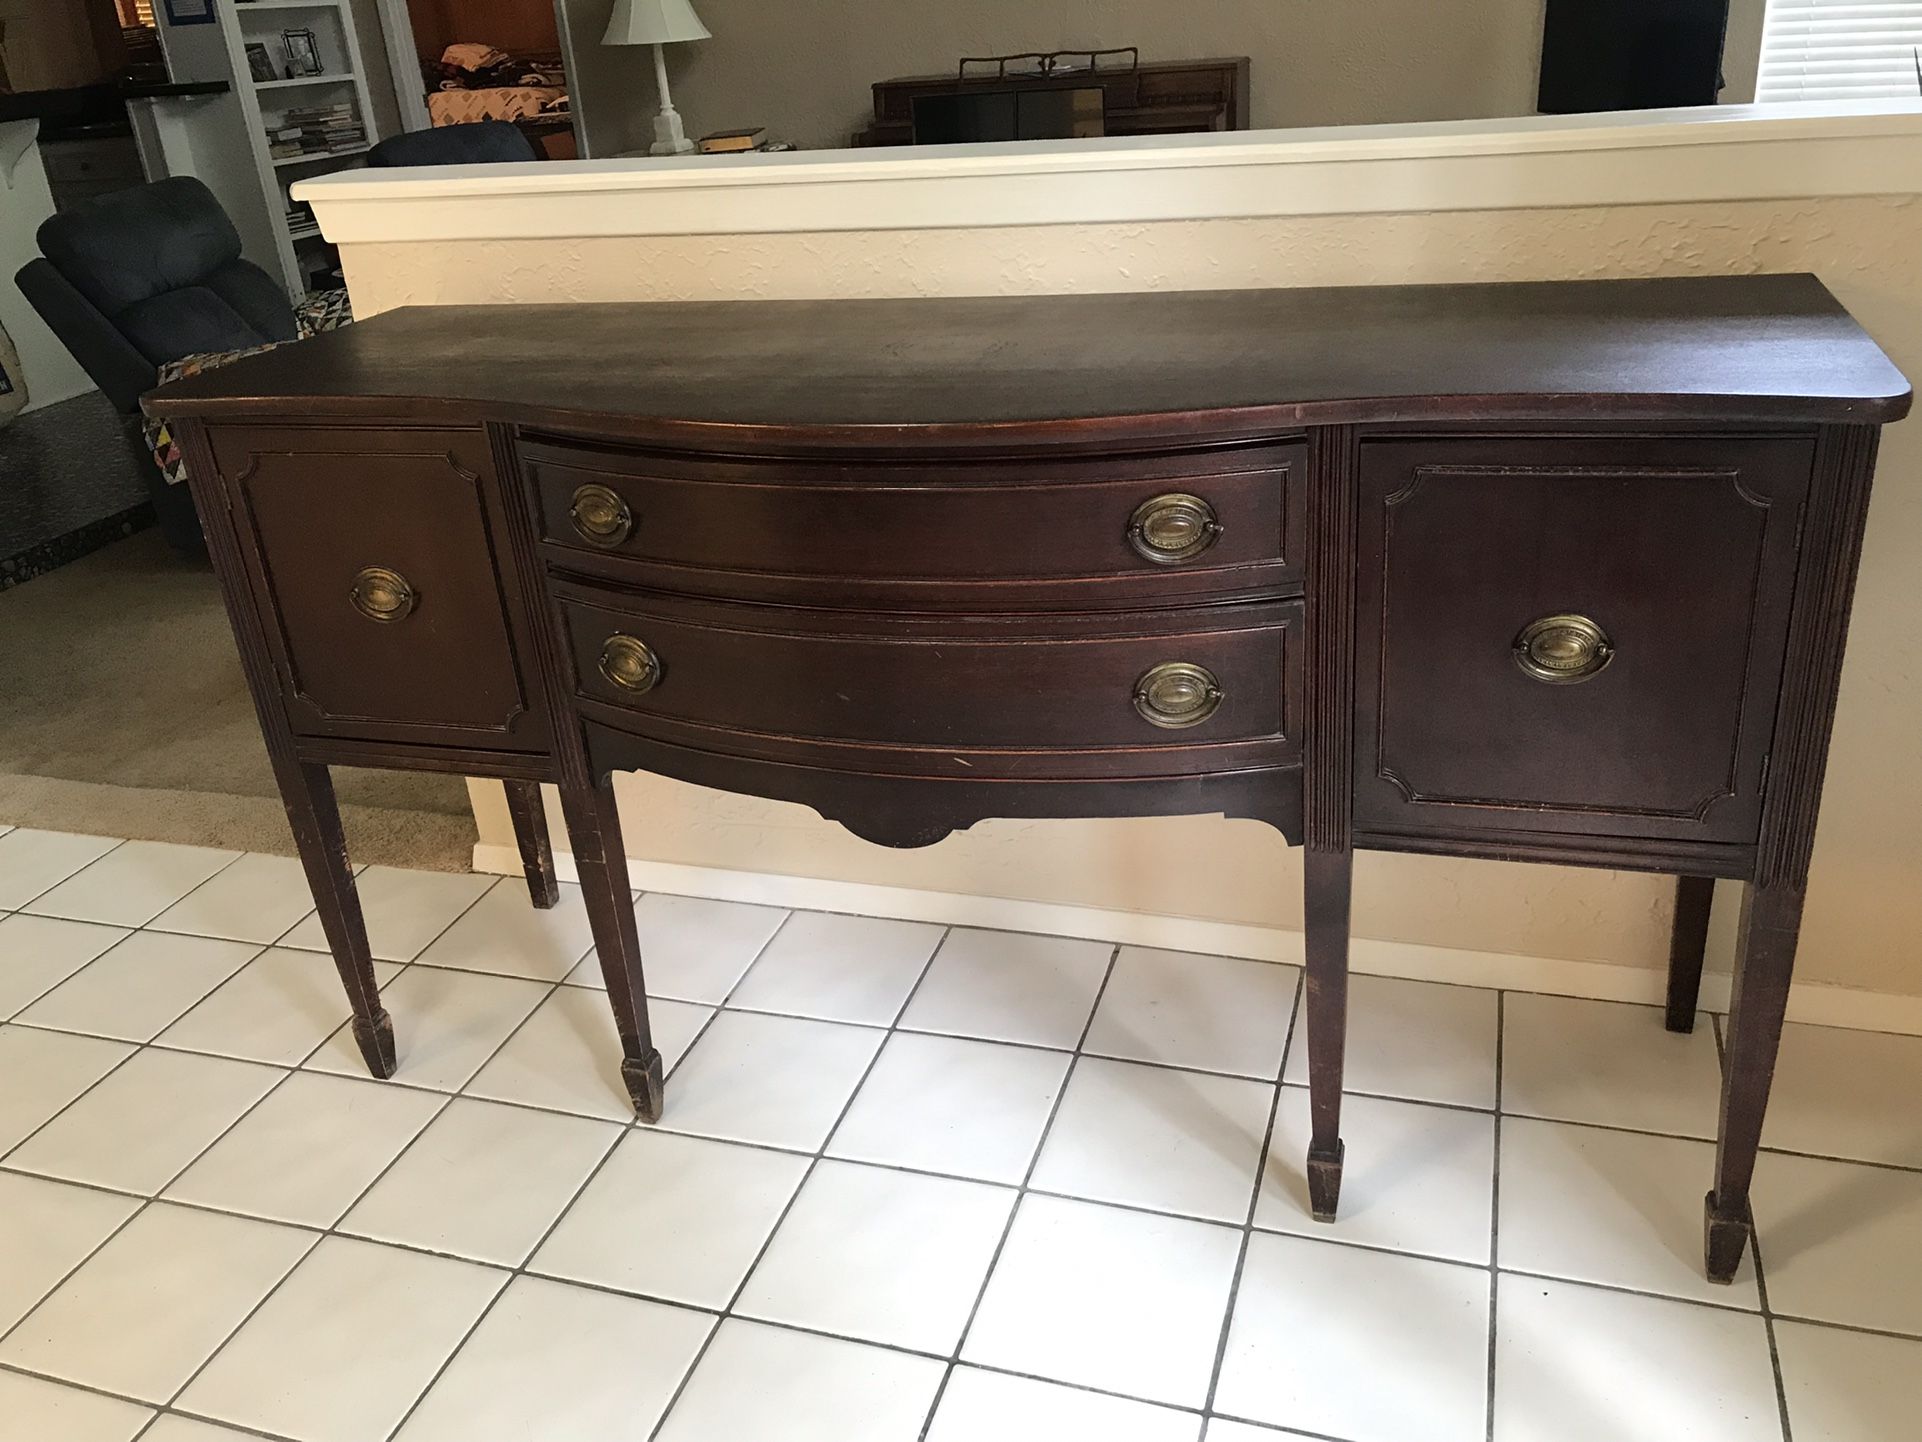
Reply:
x=1527, y=572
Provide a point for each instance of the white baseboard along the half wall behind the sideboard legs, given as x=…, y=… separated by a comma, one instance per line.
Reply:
x=1825, y=1007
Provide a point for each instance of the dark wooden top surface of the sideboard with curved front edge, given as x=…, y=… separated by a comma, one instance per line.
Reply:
x=1200, y=362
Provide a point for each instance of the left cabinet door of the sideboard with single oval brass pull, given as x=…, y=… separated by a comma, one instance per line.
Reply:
x=378, y=559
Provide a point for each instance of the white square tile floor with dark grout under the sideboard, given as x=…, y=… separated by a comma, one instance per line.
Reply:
x=914, y=1185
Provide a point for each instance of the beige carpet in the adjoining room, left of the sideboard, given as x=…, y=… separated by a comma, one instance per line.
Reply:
x=124, y=712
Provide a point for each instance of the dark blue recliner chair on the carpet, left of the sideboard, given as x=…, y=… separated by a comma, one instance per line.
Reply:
x=143, y=278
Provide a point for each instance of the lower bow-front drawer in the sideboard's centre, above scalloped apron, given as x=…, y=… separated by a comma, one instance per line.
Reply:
x=1025, y=684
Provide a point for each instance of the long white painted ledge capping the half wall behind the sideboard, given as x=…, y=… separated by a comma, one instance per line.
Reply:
x=1656, y=157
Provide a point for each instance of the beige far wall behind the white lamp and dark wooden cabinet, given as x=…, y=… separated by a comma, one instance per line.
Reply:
x=804, y=70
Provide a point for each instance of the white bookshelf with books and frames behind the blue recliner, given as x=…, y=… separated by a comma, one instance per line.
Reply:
x=220, y=53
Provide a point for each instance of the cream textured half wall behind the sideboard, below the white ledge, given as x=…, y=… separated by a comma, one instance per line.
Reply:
x=1865, y=907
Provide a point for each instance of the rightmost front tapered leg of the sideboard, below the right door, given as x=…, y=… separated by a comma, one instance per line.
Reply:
x=1771, y=920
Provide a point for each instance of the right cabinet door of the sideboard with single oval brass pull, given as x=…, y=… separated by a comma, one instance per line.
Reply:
x=1575, y=635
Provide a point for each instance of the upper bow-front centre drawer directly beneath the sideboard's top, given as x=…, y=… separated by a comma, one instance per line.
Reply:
x=989, y=534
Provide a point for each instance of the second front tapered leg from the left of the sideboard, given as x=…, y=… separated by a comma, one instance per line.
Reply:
x=595, y=830
